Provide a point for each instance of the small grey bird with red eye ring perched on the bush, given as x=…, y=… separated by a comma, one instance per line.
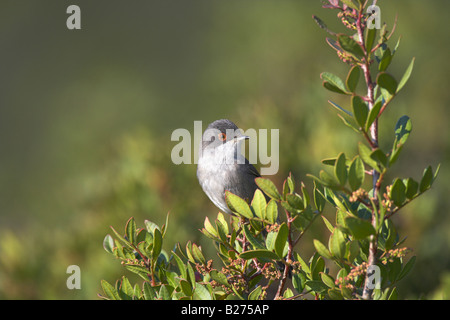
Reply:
x=221, y=166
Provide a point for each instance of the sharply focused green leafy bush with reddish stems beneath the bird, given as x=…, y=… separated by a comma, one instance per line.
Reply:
x=257, y=248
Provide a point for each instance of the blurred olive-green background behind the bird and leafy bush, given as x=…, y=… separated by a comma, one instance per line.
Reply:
x=86, y=118
